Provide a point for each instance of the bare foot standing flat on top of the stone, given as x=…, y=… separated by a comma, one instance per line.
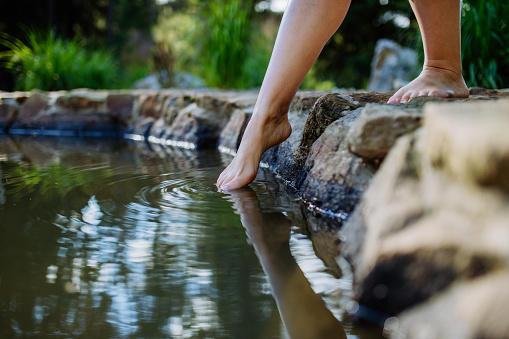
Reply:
x=433, y=81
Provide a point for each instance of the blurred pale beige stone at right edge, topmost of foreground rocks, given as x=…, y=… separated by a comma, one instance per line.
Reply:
x=470, y=141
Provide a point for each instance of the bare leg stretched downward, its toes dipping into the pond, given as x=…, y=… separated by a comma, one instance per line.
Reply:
x=306, y=27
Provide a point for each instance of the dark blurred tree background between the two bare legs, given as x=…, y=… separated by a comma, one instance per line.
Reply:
x=346, y=58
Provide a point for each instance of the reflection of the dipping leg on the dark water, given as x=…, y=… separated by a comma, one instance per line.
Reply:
x=303, y=312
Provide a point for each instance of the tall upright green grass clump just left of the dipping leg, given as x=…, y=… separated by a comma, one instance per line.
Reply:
x=226, y=31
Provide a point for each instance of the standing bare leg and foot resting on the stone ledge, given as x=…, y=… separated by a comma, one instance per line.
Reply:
x=439, y=22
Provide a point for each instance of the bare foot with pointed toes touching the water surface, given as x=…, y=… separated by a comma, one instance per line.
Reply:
x=261, y=134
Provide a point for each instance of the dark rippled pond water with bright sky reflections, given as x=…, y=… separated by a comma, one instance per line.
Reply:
x=115, y=239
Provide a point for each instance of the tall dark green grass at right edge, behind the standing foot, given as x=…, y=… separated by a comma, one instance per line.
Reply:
x=485, y=43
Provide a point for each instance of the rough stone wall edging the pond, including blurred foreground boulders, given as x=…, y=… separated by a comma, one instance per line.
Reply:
x=419, y=192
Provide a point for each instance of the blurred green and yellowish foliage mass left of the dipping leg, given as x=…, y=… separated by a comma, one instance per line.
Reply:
x=231, y=64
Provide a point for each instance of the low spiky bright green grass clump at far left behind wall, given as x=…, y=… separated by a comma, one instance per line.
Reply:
x=50, y=63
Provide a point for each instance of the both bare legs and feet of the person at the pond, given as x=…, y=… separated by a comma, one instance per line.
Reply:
x=306, y=26
